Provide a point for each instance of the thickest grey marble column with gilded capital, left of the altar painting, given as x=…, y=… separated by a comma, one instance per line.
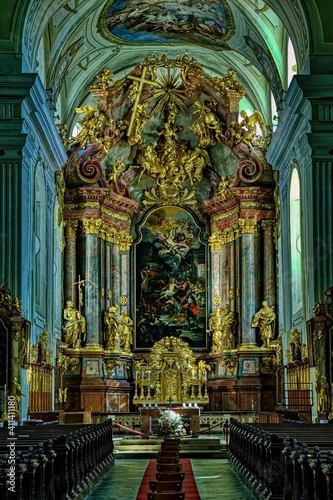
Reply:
x=92, y=281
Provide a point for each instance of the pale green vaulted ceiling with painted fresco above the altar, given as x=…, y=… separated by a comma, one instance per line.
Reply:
x=69, y=42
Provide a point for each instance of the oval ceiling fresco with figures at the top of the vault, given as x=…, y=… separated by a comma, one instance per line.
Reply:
x=208, y=23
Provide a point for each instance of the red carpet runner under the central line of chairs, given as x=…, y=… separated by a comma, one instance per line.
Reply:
x=189, y=487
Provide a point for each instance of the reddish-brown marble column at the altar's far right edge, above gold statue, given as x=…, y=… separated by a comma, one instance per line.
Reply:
x=269, y=273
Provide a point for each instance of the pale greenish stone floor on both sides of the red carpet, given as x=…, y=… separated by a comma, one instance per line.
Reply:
x=214, y=477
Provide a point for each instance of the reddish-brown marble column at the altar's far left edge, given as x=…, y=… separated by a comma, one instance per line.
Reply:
x=70, y=272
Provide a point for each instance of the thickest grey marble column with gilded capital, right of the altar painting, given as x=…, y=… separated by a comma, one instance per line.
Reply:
x=250, y=278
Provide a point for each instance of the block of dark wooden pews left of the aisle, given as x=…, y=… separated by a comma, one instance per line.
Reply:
x=54, y=462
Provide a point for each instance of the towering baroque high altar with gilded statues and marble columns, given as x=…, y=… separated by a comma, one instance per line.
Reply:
x=169, y=250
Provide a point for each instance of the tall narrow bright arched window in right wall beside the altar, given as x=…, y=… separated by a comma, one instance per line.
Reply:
x=295, y=242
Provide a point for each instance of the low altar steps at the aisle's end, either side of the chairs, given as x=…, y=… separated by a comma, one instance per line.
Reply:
x=189, y=448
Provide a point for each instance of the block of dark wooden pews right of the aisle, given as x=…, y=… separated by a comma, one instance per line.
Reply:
x=283, y=461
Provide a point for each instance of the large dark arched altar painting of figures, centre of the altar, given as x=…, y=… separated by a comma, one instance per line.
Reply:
x=171, y=269
